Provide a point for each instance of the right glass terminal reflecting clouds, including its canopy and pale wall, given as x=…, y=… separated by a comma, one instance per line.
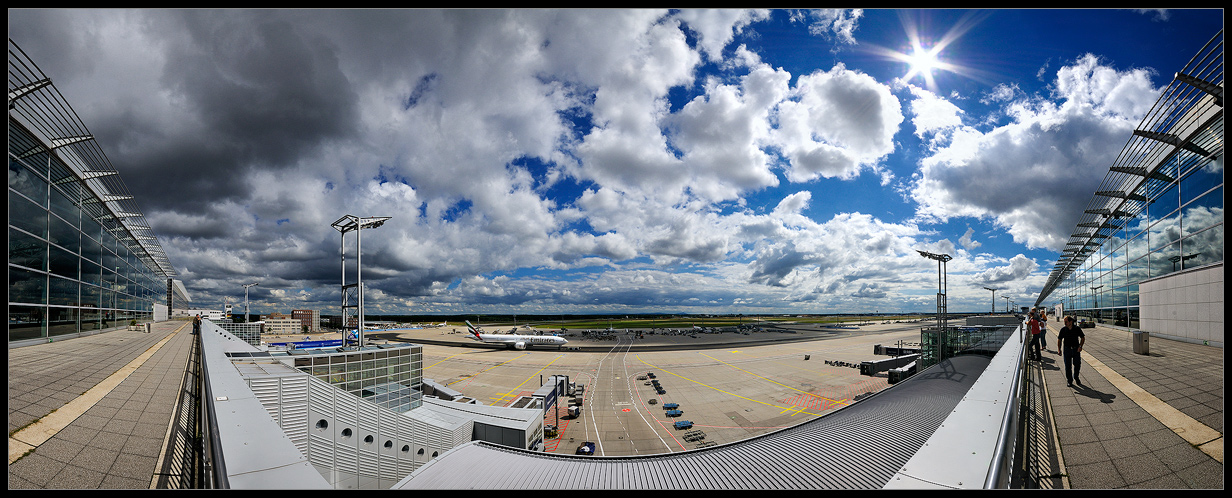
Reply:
x=1148, y=253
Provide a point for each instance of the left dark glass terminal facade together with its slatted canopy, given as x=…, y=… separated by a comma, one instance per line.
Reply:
x=82, y=257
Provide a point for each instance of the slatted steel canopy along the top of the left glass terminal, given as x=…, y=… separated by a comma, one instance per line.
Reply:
x=36, y=105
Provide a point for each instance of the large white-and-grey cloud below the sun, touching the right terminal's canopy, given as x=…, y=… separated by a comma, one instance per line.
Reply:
x=1032, y=174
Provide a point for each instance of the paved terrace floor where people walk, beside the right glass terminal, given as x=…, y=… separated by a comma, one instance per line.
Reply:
x=1151, y=421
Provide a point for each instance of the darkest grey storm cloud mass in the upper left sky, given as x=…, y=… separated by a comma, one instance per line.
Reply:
x=246, y=91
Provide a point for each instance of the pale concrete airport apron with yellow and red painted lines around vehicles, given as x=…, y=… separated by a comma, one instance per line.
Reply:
x=731, y=386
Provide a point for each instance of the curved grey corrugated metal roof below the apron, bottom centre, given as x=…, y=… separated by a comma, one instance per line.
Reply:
x=857, y=448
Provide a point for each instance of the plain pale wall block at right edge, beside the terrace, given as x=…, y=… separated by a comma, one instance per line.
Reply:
x=1186, y=306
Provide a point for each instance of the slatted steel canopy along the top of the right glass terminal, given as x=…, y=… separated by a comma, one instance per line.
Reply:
x=1175, y=130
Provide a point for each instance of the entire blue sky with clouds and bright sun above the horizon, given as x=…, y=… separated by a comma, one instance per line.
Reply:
x=555, y=162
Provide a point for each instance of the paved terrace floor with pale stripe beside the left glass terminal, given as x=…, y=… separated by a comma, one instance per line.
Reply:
x=94, y=412
